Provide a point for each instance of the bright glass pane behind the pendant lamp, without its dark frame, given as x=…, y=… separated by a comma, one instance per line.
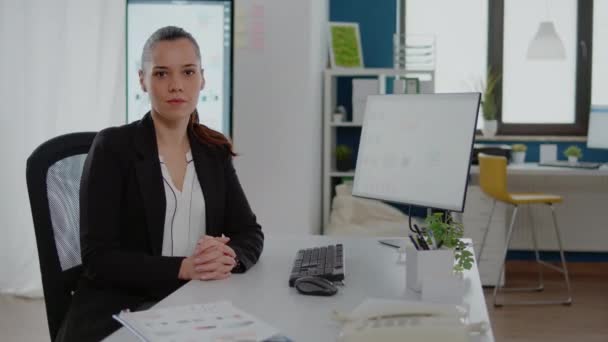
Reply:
x=538, y=91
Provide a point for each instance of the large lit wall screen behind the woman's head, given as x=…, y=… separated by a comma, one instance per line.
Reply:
x=210, y=23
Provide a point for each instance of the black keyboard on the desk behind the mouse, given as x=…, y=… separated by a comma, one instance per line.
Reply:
x=325, y=262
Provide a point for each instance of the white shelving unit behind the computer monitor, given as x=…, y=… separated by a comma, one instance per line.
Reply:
x=330, y=174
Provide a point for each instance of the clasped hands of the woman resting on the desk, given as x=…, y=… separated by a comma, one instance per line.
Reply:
x=212, y=260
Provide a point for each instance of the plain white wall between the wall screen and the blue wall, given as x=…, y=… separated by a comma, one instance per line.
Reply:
x=277, y=110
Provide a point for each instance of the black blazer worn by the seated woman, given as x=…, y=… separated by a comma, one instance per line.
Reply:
x=122, y=209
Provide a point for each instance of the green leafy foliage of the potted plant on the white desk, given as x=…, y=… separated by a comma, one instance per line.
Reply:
x=448, y=233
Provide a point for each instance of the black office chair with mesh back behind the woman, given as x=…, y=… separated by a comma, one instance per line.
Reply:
x=53, y=182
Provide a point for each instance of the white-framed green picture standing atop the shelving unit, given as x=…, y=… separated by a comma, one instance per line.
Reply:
x=345, y=45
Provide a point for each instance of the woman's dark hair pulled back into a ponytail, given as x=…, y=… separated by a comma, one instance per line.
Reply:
x=203, y=133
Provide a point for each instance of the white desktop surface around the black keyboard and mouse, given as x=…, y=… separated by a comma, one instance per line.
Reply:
x=371, y=271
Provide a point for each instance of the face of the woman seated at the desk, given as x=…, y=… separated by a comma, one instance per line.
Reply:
x=173, y=79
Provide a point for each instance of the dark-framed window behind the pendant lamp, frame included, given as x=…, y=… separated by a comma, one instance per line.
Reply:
x=541, y=96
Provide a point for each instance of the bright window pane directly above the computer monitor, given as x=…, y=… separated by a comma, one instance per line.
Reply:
x=461, y=40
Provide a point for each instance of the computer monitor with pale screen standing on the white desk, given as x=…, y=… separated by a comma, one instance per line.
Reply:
x=416, y=149
